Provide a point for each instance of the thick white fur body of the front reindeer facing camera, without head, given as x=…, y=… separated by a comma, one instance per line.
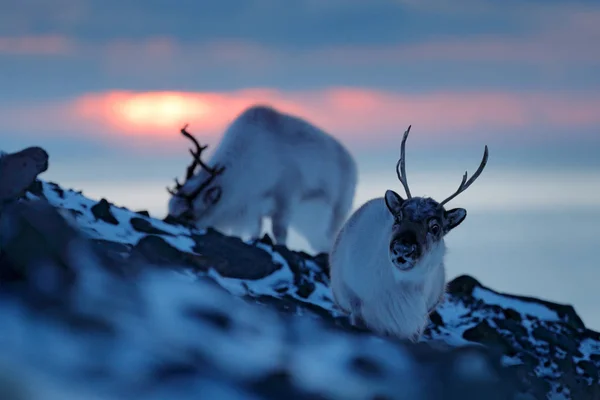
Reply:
x=366, y=284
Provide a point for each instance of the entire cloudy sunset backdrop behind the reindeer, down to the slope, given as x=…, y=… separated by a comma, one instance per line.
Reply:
x=106, y=85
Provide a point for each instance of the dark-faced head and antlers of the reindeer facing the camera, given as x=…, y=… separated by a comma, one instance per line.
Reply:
x=420, y=223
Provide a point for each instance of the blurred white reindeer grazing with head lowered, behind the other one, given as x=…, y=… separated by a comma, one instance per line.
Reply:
x=269, y=165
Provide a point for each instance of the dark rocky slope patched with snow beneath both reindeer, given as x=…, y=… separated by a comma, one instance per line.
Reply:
x=101, y=302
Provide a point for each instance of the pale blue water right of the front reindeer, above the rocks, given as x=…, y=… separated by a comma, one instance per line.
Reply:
x=552, y=254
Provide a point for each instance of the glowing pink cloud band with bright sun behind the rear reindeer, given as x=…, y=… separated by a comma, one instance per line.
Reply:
x=352, y=114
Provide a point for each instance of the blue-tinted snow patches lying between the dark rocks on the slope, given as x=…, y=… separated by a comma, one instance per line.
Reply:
x=171, y=317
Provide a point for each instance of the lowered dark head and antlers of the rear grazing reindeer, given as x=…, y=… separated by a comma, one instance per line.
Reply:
x=200, y=192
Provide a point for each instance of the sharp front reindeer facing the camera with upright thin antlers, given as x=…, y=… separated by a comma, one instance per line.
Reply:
x=387, y=263
